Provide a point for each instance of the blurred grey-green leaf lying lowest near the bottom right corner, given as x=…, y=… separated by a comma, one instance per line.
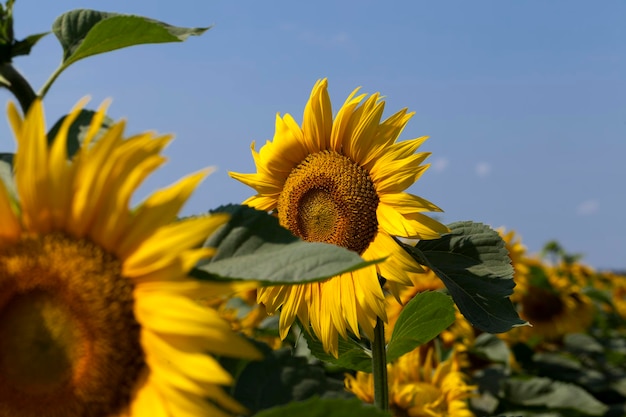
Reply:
x=553, y=395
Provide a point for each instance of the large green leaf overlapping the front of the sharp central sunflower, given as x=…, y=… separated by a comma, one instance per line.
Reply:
x=253, y=246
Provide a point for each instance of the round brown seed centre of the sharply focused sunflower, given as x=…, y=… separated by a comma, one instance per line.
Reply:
x=328, y=198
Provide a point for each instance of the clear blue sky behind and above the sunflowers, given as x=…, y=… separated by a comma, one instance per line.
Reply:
x=524, y=102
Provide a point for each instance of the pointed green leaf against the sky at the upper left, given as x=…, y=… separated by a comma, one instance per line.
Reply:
x=84, y=33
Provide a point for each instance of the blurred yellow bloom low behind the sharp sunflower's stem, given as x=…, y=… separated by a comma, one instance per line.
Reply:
x=420, y=386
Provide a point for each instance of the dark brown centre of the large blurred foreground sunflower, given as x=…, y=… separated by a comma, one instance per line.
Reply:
x=69, y=341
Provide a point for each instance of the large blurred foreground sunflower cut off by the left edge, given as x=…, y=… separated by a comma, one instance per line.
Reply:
x=96, y=317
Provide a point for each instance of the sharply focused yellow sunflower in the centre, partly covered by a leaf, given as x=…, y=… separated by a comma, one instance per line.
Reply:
x=341, y=180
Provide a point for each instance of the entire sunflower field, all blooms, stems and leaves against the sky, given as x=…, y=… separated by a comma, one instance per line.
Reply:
x=331, y=291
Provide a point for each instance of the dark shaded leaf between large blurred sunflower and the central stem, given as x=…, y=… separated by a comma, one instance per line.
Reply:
x=281, y=378
